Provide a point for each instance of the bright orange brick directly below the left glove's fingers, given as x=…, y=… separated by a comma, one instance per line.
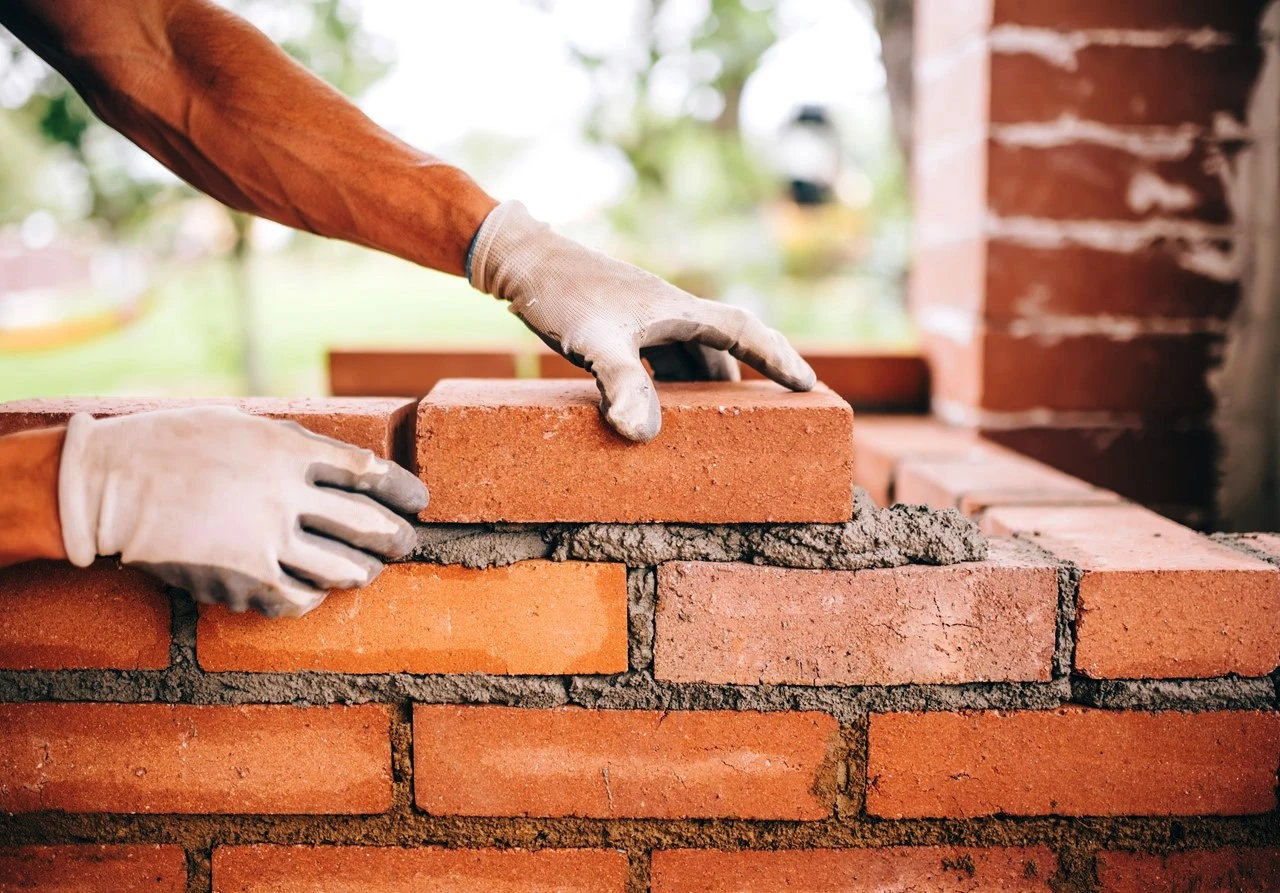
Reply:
x=529, y=619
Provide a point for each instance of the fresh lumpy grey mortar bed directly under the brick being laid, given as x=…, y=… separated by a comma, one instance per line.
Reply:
x=874, y=538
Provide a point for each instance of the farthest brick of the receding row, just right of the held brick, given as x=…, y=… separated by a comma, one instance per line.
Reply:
x=883, y=442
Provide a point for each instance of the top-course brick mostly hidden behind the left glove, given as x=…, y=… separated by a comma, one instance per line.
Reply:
x=380, y=424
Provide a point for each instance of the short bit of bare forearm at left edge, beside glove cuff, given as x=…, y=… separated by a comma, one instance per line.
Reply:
x=29, y=496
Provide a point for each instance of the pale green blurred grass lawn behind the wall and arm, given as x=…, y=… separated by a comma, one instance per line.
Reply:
x=323, y=295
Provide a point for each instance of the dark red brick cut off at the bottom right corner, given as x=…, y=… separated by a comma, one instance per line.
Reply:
x=1194, y=872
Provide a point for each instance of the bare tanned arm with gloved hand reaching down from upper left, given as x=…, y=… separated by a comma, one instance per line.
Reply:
x=216, y=102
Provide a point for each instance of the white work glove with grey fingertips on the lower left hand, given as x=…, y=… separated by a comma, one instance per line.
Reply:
x=239, y=511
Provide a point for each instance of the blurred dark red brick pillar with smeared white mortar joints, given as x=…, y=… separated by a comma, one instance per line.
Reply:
x=1078, y=254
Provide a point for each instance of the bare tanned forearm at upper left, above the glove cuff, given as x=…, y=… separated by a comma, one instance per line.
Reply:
x=223, y=108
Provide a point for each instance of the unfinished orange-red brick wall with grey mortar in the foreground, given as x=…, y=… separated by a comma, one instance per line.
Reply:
x=670, y=695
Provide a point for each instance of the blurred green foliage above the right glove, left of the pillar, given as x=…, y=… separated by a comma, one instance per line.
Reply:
x=706, y=210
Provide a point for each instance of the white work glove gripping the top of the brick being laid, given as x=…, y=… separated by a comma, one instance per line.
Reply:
x=604, y=315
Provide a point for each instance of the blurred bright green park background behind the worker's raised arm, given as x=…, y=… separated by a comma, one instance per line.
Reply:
x=662, y=131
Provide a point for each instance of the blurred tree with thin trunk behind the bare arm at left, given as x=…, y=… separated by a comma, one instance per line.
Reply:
x=323, y=35
